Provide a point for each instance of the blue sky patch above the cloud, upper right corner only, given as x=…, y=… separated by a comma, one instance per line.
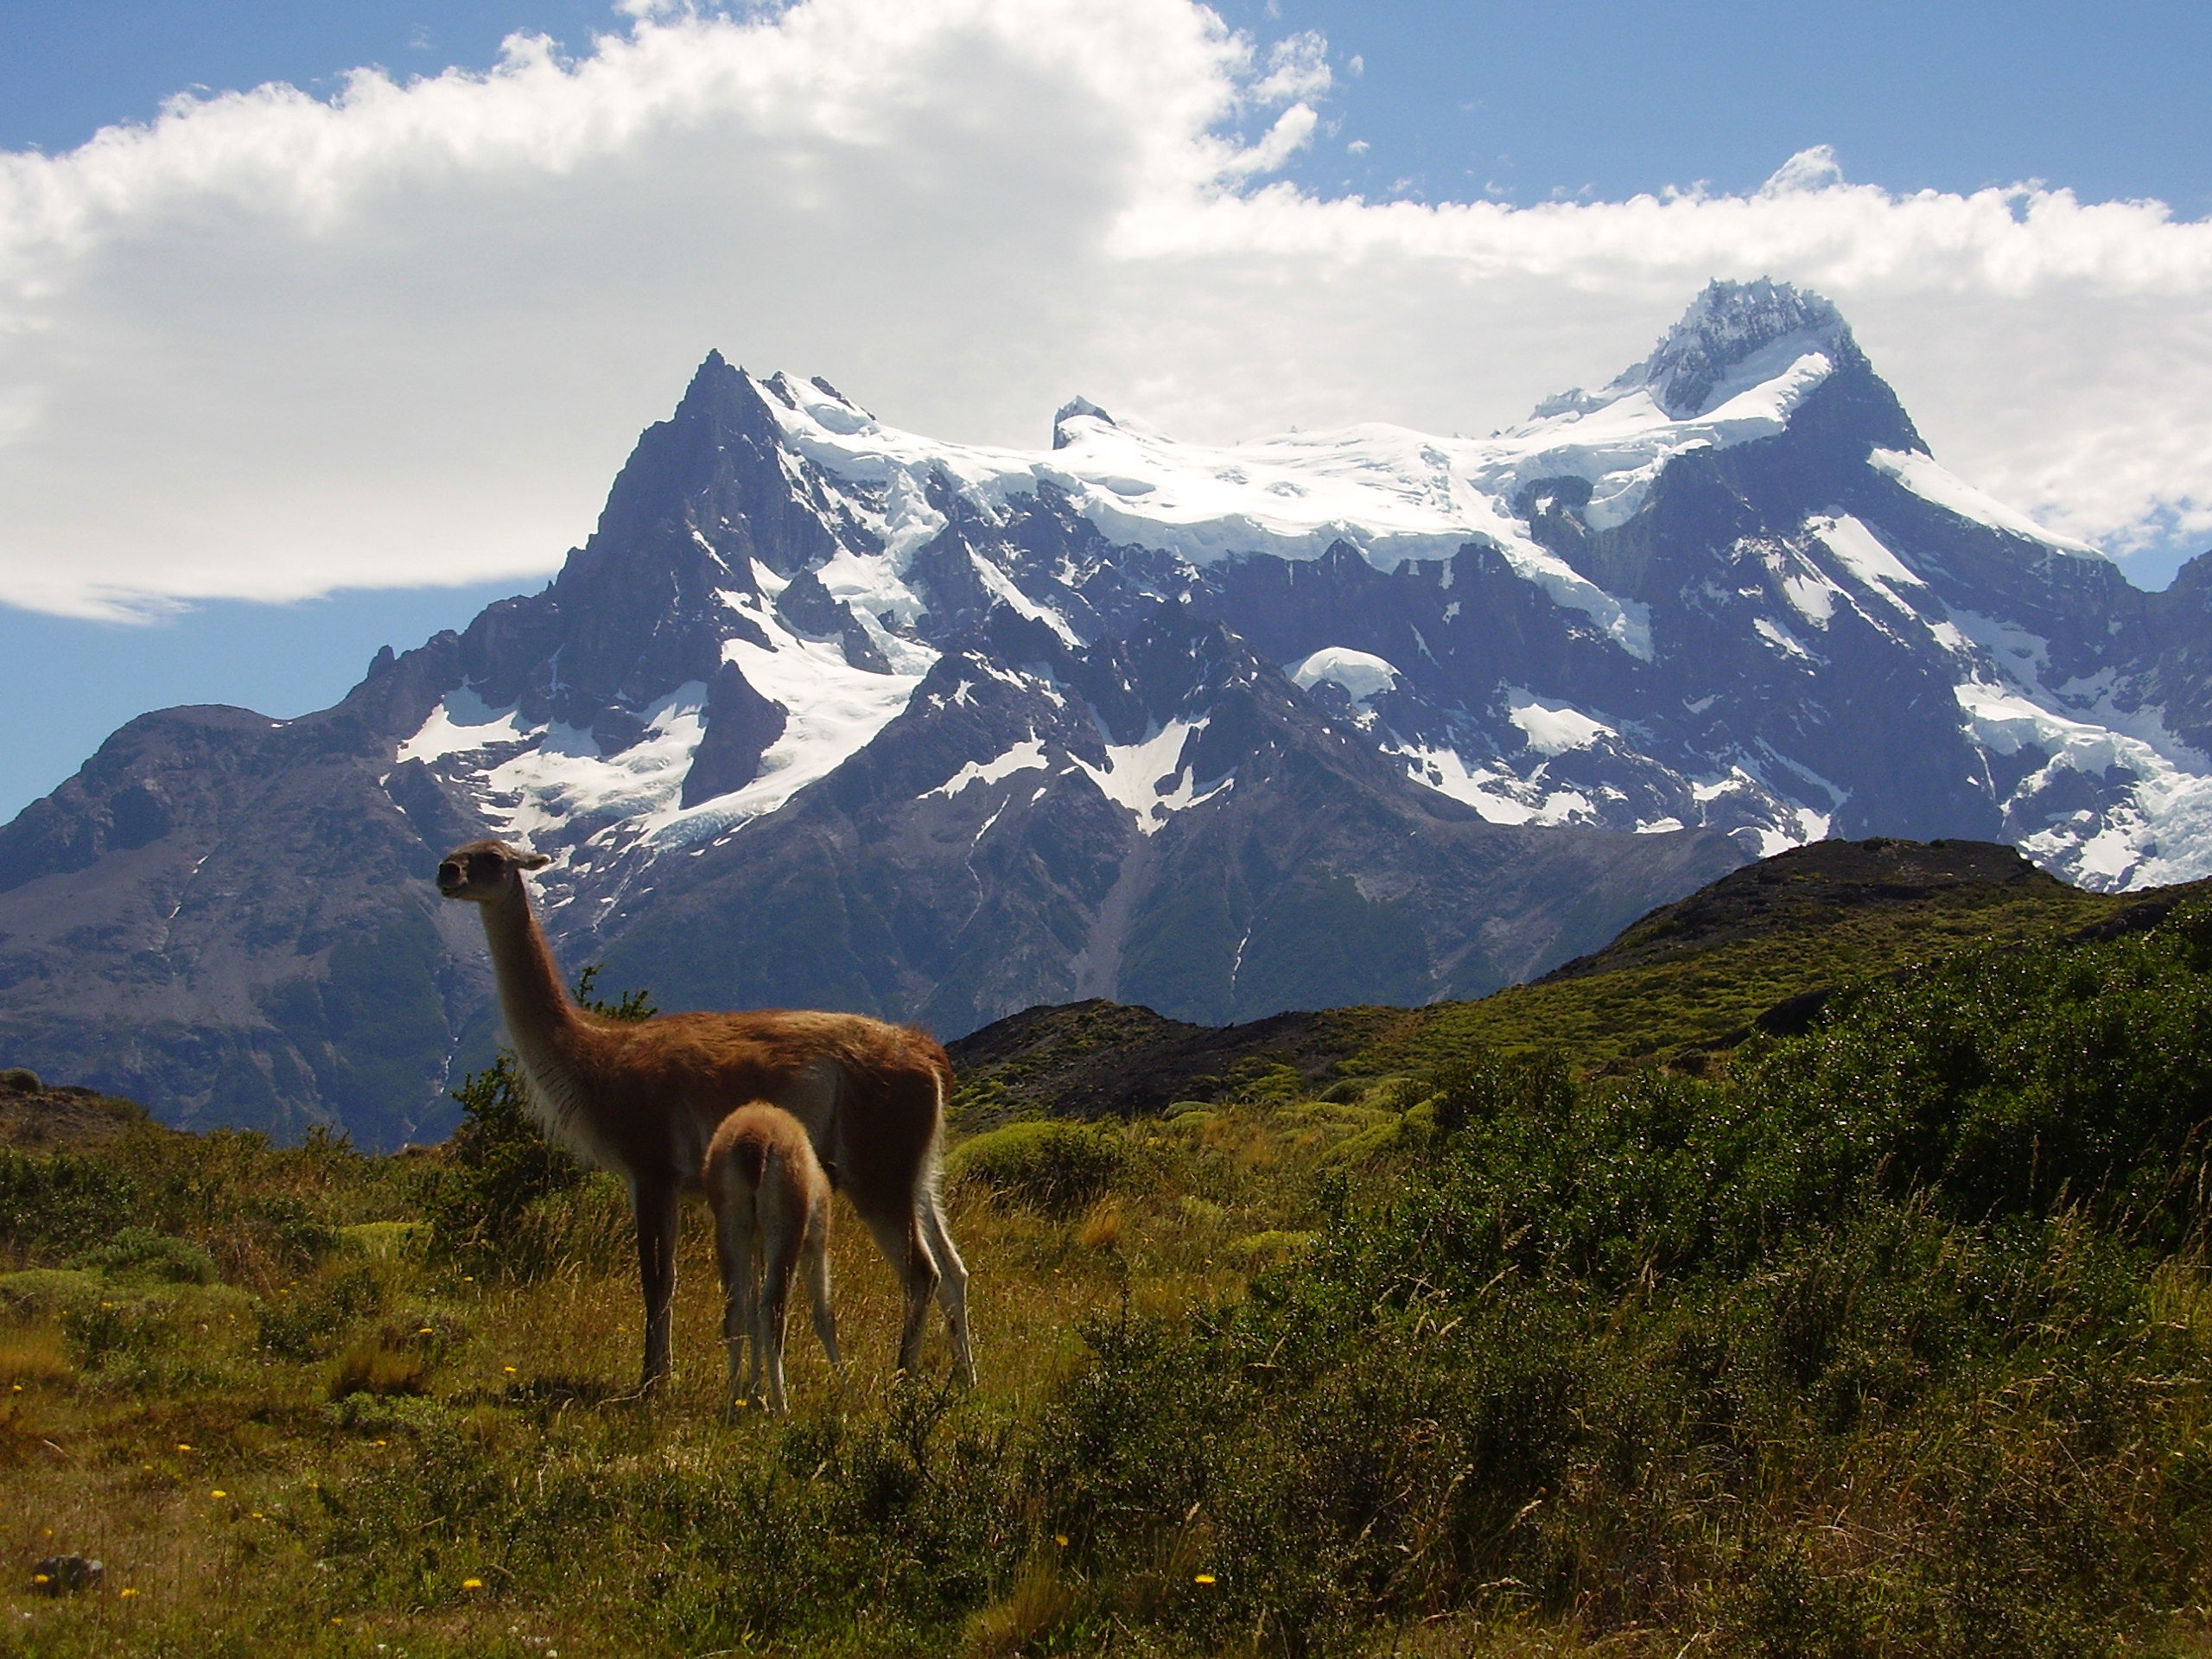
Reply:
x=1625, y=98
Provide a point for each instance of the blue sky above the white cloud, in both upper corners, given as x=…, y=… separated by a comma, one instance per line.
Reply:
x=1452, y=98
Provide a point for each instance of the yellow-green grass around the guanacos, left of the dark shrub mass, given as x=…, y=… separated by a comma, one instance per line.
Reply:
x=291, y=1417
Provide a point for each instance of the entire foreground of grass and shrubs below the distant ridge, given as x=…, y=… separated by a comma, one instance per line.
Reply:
x=1890, y=1339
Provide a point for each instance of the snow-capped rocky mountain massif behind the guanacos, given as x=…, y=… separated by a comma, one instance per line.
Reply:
x=826, y=713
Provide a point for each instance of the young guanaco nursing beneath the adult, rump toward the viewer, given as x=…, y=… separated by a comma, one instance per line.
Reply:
x=771, y=1220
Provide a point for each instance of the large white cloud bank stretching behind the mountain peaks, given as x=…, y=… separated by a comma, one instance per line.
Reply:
x=273, y=346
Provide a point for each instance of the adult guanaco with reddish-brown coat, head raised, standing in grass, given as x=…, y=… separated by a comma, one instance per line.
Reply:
x=645, y=1098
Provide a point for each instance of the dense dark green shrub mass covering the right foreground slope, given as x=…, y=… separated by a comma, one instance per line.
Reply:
x=1853, y=1355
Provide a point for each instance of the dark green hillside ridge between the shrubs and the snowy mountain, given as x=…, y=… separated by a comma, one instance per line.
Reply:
x=1755, y=950
